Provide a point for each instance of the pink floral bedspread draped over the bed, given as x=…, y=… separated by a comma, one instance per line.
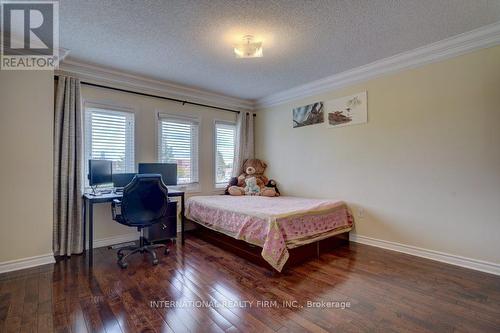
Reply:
x=269, y=222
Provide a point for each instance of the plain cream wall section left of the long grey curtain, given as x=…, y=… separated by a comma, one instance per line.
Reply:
x=26, y=123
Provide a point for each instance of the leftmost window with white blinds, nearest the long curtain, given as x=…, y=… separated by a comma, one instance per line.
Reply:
x=109, y=135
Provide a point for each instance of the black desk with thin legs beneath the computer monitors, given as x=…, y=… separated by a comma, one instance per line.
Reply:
x=89, y=200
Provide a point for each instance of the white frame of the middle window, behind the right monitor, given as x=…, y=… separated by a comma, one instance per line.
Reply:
x=161, y=115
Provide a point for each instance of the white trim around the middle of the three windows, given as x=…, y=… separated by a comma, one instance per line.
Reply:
x=160, y=114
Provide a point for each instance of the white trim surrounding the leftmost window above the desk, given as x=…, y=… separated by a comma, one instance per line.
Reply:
x=111, y=107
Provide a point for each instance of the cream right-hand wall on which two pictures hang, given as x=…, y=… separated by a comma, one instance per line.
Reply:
x=425, y=168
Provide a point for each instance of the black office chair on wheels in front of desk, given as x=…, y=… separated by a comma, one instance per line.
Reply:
x=144, y=203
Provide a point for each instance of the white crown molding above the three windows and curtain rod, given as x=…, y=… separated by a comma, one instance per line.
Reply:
x=105, y=76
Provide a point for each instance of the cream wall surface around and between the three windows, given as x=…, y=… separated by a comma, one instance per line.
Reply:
x=145, y=109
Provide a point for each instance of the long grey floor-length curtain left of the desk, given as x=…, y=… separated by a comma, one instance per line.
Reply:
x=68, y=159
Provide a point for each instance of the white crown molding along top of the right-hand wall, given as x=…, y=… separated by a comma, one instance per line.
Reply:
x=483, y=37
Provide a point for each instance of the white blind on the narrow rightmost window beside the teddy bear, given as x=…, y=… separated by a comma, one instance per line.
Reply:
x=225, y=134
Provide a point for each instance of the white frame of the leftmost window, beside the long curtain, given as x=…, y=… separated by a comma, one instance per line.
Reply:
x=87, y=105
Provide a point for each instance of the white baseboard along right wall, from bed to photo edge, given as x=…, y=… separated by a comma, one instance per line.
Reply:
x=479, y=265
